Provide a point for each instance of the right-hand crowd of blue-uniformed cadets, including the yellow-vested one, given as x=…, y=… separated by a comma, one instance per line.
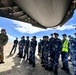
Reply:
x=50, y=49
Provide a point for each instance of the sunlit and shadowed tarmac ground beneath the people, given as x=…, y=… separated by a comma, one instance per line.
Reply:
x=16, y=66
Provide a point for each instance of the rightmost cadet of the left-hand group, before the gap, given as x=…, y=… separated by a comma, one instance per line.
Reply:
x=32, y=51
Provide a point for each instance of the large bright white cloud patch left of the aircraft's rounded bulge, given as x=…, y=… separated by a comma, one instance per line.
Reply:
x=26, y=27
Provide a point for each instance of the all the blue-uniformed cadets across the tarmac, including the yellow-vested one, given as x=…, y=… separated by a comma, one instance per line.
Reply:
x=49, y=51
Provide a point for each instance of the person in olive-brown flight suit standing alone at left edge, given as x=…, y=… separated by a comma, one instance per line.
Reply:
x=3, y=42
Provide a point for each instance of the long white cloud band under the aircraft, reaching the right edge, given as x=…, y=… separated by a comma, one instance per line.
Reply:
x=28, y=28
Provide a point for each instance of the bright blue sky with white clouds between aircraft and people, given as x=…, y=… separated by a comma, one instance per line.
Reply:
x=17, y=29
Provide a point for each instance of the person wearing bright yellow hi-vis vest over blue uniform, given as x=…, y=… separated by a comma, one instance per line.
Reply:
x=64, y=54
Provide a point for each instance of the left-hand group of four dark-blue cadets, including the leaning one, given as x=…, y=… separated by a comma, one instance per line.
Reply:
x=26, y=49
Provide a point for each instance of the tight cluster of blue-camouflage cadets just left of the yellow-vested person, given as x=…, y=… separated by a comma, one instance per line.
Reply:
x=50, y=52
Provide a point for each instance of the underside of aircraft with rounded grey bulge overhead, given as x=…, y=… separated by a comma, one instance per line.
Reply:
x=39, y=13
